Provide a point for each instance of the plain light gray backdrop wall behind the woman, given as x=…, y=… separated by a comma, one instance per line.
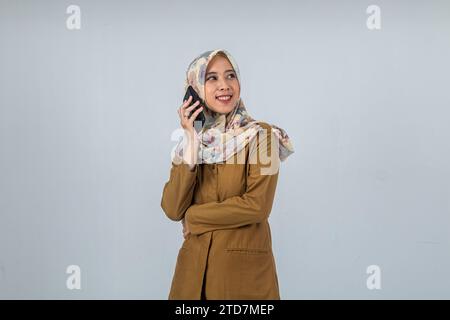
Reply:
x=86, y=118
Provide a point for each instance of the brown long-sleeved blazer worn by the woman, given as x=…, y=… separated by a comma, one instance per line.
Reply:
x=226, y=207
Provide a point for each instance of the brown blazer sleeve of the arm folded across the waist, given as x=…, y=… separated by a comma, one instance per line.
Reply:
x=254, y=205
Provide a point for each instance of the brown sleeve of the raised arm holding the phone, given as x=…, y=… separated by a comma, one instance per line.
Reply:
x=179, y=190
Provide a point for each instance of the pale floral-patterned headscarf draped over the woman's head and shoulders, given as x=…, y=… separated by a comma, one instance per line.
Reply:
x=224, y=135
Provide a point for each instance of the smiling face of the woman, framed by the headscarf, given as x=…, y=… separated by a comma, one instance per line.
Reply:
x=222, y=90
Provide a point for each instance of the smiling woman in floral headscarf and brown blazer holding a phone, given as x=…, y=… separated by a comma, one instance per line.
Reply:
x=222, y=185
